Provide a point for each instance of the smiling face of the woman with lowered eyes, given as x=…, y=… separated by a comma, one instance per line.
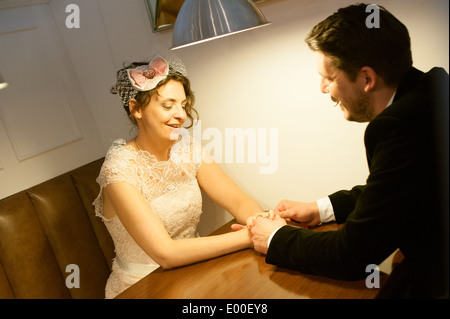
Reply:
x=165, y=114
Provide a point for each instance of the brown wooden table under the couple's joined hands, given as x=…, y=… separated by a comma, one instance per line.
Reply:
x=245, y=275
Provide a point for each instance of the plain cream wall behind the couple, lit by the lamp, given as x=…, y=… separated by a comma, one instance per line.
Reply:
x=264, y=78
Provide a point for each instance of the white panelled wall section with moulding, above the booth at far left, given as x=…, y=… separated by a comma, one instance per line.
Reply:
x=46, y=127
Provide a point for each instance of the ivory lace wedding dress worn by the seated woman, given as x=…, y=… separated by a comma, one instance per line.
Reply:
x=170, y=189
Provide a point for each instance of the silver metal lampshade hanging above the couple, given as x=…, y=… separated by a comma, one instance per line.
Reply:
x=203, y=20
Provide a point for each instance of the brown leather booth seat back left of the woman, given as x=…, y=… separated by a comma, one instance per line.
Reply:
x=48, y=227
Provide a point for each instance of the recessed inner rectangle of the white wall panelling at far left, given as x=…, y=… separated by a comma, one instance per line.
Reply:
x=41, y=119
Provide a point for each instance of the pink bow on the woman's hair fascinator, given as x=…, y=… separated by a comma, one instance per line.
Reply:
x=146, y=77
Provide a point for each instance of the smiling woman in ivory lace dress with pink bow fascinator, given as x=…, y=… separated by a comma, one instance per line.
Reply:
x=150, y=198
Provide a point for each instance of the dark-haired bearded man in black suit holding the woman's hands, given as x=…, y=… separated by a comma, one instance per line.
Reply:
x=404, y=204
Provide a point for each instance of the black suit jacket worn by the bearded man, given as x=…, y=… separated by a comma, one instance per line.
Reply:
x=401, y=205
